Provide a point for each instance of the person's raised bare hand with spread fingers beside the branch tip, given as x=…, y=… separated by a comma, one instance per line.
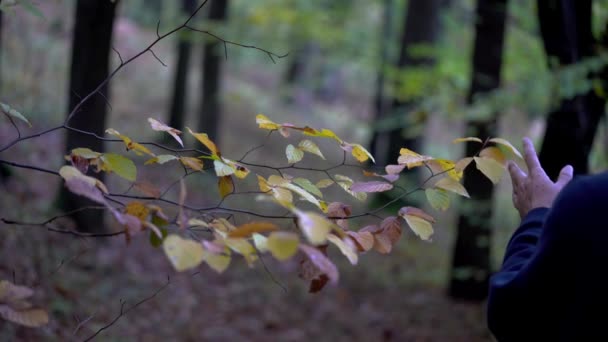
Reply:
x=535, y=190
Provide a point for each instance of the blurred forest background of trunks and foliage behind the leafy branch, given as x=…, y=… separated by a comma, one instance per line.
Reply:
x=383, y=73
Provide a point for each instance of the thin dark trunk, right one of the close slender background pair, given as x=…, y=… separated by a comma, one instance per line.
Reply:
x=212, y=65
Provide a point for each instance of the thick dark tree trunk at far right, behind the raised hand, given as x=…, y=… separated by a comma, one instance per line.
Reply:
x=566, y=31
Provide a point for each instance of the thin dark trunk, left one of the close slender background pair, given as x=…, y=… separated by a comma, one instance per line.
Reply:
x=177, y=111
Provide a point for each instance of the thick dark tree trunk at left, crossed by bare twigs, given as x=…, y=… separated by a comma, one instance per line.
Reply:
x=90, y=63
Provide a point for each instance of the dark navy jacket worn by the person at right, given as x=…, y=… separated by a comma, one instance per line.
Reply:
x=553, y=284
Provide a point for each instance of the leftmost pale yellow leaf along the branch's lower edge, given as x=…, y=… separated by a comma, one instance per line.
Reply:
x=183, y=254
